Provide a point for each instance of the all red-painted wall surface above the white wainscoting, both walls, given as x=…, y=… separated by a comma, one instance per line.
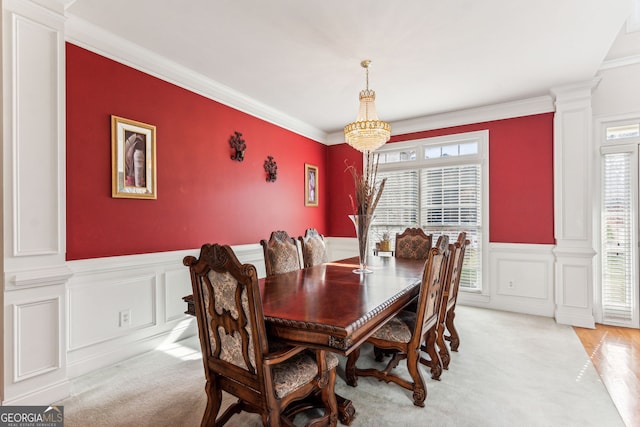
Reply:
x=203, y=196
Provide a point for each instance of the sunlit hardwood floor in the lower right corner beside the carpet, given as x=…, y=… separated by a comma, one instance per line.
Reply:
x=615, y=353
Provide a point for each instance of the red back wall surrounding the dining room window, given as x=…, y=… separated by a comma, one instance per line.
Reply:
x=520, y=179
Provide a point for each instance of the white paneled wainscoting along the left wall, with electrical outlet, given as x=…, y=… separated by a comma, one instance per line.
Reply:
x=146, y=289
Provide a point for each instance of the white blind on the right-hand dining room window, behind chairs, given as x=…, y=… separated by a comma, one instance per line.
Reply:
x=451, y=203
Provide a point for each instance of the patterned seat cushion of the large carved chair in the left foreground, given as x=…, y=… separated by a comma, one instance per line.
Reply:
x=298, y=371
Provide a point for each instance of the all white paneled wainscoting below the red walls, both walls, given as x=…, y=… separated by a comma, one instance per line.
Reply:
x=150, y=287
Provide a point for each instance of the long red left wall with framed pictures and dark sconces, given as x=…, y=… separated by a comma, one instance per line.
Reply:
x=203, y=196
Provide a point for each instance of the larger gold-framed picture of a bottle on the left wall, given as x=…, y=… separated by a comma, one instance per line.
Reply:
x=133, y=159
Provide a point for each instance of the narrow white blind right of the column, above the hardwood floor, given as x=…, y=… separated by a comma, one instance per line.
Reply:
x=617, y=237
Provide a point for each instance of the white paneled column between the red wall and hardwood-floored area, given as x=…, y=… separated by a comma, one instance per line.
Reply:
x=573, y=192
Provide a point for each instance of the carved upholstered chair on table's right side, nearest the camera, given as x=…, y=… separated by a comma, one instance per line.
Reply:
x=404, y=333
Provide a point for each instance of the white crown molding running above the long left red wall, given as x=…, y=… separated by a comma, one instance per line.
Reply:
x=90, y=37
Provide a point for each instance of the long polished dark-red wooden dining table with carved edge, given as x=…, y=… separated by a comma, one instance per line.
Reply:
x=328, y=306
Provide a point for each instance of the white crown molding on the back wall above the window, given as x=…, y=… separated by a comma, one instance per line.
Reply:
x=506, y=110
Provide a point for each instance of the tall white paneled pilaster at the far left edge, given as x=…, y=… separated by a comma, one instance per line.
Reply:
x=34, y=224
